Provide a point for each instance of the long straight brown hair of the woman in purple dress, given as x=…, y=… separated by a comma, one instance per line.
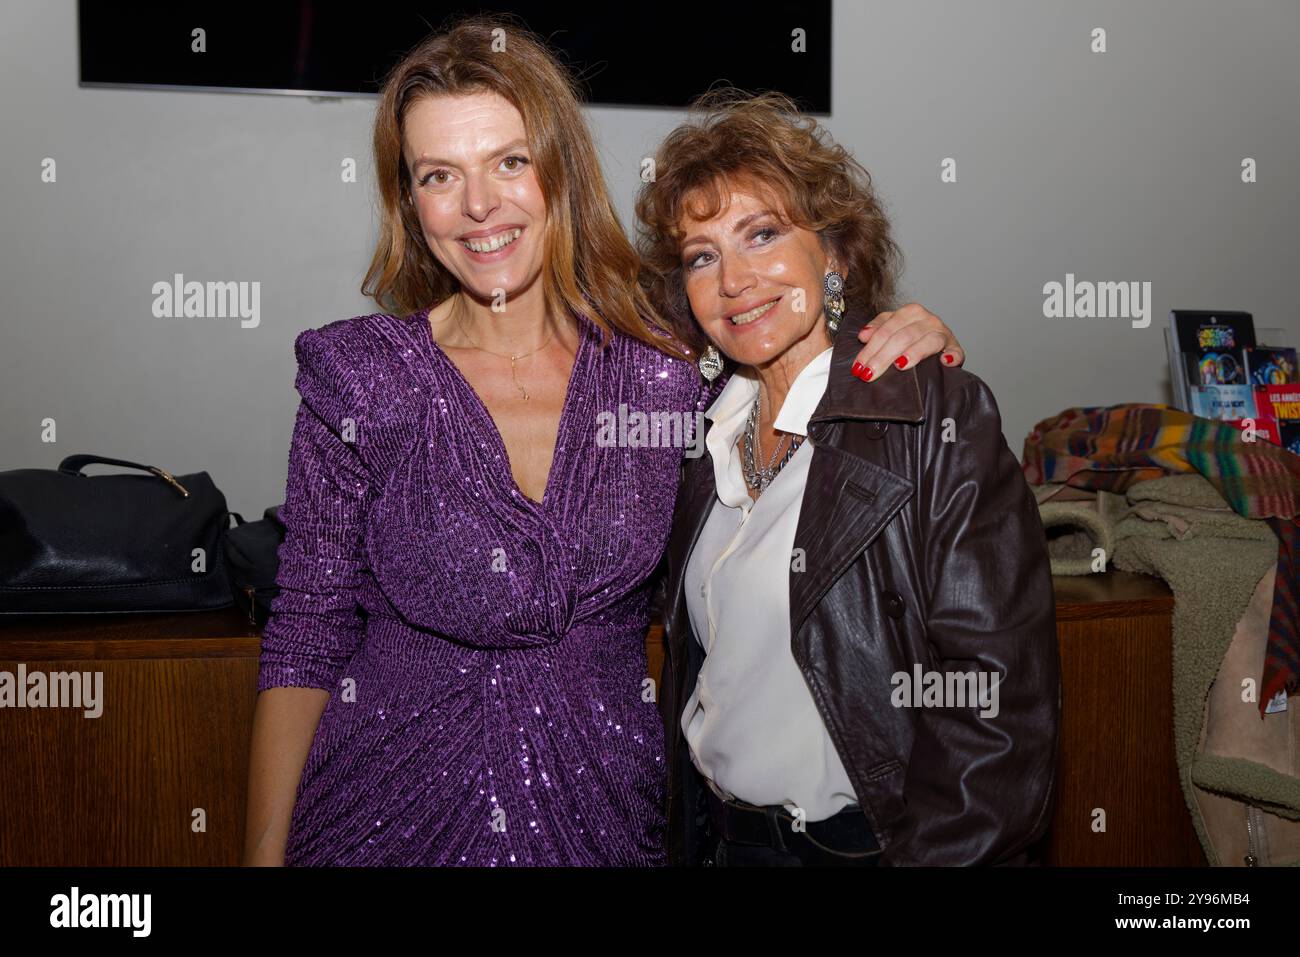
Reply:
x=590, y=265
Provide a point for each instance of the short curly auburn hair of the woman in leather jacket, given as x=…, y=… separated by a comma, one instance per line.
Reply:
x=762, y=142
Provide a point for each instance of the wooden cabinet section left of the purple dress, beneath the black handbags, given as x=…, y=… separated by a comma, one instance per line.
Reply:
x=170, y=748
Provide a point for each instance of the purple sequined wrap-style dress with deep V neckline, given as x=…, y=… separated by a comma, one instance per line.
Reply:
x=484, y=653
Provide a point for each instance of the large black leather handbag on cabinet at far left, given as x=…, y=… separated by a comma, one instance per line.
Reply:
x=75, y=544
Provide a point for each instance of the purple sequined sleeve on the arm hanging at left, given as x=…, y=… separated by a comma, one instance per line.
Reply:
x=315, y=626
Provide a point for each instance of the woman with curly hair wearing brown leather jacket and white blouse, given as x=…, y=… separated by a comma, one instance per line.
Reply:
x=861, y=629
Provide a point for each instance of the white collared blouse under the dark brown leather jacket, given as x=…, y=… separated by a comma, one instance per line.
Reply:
x=752, y=726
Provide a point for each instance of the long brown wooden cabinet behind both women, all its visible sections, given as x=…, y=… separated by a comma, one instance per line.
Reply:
x=170, y=751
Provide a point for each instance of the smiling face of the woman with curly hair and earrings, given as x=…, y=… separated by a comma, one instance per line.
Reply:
x=747, y=276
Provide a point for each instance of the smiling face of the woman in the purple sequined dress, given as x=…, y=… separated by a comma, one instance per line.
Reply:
x=480, y=205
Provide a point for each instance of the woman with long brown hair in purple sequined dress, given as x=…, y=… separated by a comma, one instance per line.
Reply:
x=454, y=672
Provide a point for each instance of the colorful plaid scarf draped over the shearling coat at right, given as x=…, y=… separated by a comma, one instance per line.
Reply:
x=1113, y=448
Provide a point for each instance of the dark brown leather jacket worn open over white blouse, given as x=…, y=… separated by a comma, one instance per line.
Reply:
x=920, y=552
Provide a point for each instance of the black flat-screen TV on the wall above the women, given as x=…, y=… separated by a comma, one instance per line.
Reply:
x=653, y=55
